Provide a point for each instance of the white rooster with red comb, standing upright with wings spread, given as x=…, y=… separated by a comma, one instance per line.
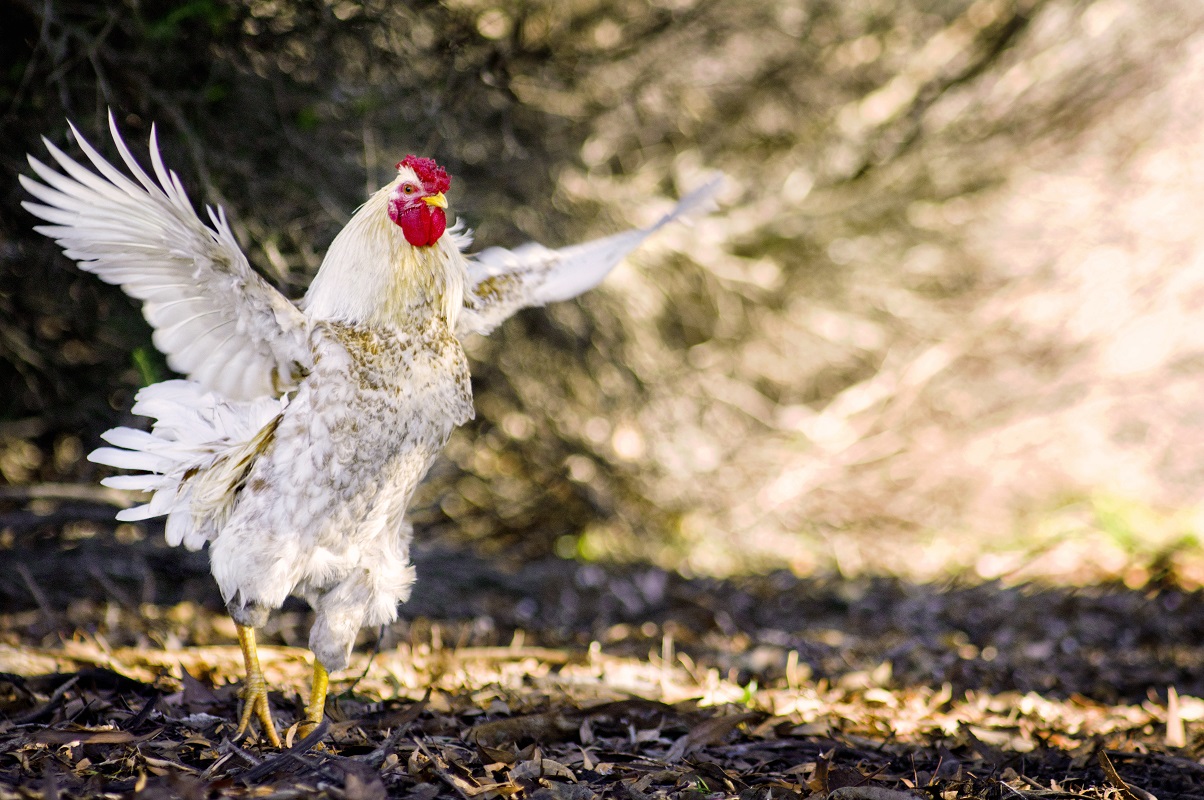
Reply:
x=297, y=442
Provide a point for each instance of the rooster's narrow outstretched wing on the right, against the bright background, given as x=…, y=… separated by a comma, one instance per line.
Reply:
x=501, y=281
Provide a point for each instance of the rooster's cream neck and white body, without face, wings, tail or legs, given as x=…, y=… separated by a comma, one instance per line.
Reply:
x=320, y=513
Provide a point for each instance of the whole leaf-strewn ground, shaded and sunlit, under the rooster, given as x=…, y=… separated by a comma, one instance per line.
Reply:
x=568, y=680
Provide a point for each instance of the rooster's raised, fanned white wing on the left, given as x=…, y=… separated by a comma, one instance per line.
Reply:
x=215, y=319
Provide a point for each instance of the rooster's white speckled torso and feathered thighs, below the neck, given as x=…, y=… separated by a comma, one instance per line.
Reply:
x=321, y=511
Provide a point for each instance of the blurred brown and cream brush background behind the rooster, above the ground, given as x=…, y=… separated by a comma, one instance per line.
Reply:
x=948, y=322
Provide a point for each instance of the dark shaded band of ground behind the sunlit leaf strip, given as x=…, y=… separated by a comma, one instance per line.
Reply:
x=1108, y=643
